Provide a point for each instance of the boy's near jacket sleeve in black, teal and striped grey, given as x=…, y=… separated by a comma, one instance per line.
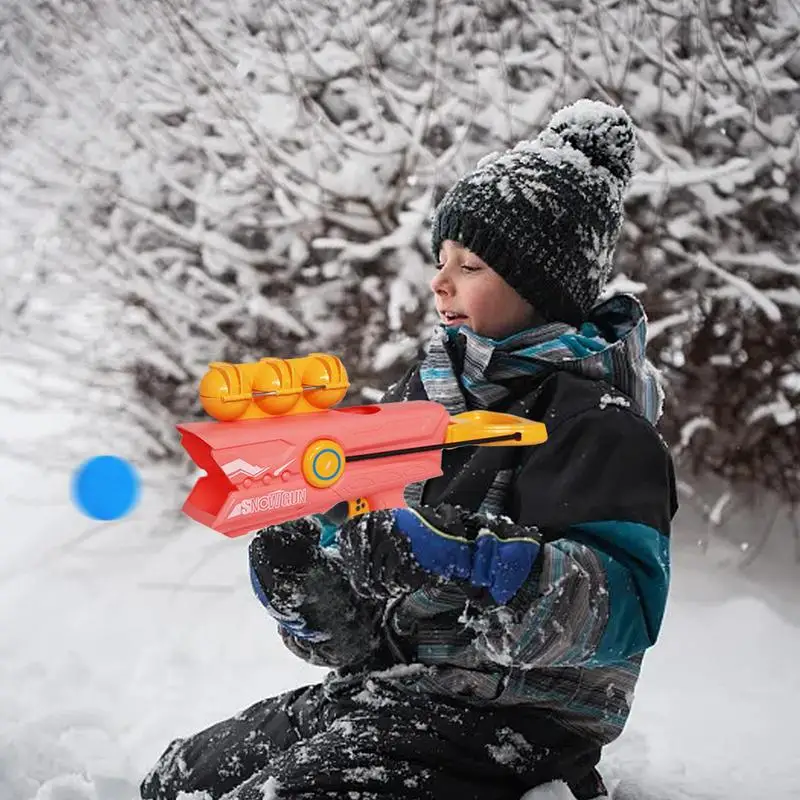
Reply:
x=601, y=492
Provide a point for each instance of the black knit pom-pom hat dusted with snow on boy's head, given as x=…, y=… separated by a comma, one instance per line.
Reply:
x=546, y=215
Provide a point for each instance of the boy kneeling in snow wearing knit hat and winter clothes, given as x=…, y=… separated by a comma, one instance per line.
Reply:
x=487, y=639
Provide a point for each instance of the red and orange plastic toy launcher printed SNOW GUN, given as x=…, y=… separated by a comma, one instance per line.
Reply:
x=279, y=450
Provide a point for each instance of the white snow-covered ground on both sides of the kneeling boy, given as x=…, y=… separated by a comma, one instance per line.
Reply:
x=117, y=637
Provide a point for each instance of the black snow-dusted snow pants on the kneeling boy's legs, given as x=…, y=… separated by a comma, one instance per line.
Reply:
x=364, y=745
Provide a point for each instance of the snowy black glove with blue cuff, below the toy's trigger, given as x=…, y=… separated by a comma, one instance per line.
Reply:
x=386, y=553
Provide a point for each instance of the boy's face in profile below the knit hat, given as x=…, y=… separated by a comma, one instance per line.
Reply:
x=469, y=292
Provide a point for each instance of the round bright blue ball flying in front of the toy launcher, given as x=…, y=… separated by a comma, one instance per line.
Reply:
x=105, y=487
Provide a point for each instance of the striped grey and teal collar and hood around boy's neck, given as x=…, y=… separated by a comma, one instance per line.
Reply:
x=610, y=346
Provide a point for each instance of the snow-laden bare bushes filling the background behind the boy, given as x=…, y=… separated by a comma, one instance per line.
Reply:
x=247, y=178
